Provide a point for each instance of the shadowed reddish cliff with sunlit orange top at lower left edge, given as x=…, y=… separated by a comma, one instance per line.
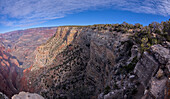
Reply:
x=9, y=73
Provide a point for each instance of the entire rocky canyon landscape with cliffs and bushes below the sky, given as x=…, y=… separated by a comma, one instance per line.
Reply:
x=106, y=61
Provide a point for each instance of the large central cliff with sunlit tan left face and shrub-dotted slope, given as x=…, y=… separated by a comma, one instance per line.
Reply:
x=77, y=62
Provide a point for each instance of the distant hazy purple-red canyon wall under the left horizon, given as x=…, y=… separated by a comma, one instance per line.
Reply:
x=22, y=43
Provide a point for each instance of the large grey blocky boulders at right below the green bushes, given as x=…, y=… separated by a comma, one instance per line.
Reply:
x=153, y=72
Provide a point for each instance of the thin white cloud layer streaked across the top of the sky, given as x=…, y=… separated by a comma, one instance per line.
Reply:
x=30, y=12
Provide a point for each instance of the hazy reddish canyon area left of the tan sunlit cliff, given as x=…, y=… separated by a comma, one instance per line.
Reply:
x=16, y=54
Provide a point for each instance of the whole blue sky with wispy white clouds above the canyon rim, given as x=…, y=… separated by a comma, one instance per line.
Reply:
x=23, y=14
